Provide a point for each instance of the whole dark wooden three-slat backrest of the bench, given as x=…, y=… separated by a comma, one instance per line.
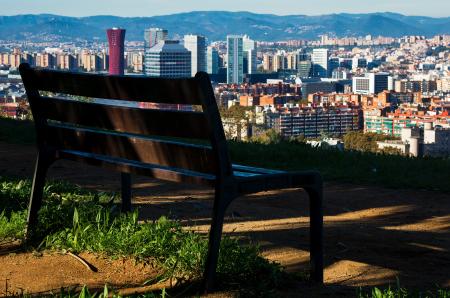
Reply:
x=165, y=137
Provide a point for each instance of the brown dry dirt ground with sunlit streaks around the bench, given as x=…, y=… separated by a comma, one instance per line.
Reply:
x=372, y=234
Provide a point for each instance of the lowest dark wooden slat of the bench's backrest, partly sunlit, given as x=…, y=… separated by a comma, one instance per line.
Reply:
x=146, y=150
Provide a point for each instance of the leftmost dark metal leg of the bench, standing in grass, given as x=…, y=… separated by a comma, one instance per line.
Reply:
x=43, y=162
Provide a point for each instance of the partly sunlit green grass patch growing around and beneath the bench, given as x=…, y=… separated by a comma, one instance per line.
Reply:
x=76, y=220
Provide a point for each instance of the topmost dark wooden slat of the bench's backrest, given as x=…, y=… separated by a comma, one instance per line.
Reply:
x=134, y=88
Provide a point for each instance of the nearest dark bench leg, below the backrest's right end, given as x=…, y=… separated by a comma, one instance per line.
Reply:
x=215, y=235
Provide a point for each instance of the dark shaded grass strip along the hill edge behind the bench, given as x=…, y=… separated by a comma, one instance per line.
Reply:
x=354, y=167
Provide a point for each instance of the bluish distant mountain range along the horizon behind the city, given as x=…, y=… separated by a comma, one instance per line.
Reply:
x=215, y=25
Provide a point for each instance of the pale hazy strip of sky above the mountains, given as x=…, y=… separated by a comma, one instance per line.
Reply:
x=436, y=8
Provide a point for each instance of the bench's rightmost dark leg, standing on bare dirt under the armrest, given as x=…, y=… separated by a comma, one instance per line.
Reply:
x=316, y=230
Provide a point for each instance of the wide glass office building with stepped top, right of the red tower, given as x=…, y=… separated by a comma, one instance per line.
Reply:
x=168, y=59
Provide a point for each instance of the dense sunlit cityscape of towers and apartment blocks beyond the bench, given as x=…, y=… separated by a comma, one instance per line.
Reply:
x=311, y=89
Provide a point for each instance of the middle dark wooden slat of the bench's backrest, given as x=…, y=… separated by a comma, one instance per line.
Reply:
x=182, y=124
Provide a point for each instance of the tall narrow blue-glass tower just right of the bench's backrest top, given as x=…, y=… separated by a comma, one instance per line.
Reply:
x=235, y=59
